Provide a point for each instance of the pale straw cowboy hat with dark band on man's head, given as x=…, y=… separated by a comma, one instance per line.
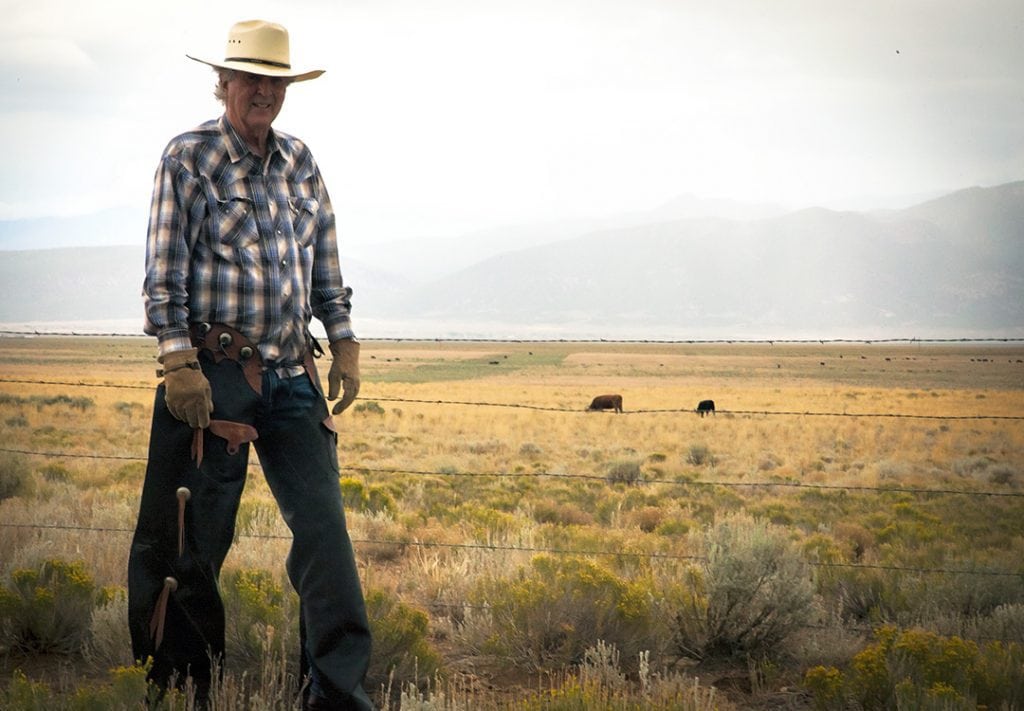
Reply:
x=260, y=48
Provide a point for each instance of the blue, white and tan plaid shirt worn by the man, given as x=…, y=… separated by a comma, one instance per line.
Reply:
x=245, y=241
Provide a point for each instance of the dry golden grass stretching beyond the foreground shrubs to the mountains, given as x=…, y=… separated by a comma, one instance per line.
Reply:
x=479, y=444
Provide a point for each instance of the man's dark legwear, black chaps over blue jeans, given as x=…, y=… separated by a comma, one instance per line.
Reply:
x=296, y=447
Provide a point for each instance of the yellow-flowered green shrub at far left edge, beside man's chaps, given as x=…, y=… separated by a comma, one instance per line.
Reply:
x=50, y=609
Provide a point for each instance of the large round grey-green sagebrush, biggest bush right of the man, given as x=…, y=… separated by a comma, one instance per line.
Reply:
x=754, y=591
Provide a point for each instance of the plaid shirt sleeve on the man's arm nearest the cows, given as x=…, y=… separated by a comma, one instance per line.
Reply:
x=329, y=299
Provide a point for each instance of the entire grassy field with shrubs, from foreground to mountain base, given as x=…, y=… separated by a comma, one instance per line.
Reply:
x=850, y=520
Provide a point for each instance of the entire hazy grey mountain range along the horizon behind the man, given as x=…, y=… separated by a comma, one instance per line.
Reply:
x=951, y=267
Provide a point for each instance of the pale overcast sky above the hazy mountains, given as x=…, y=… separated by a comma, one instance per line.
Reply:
x=437, y=117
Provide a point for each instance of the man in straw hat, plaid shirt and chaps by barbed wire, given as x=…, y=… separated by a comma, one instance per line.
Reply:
x=241, y=255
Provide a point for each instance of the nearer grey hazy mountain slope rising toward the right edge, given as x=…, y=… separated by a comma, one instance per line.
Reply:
x=950, y=266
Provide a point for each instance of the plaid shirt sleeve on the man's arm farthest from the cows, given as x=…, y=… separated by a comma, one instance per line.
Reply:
x=176, y=194
